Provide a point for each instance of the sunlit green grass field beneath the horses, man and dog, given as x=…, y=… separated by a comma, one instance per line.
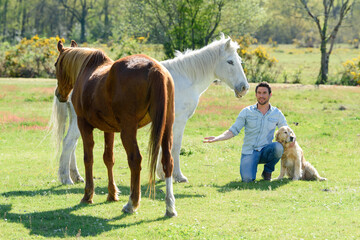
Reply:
x=215, y=204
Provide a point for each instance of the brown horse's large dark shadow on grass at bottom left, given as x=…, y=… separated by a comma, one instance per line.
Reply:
x=63, y=223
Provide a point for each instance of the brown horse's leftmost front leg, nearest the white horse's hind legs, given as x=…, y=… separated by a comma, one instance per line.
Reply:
x=86, y=131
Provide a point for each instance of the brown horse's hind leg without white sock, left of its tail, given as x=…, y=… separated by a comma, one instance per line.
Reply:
x=128, y=138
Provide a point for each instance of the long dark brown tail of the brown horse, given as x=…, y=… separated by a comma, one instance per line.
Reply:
x=158, y=109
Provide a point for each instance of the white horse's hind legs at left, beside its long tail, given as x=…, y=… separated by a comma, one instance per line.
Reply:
x=68, y=171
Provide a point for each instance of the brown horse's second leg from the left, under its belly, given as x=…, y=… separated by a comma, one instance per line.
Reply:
x=109, y=162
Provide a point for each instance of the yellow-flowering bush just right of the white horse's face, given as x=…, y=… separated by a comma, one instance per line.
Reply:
x=258, y=64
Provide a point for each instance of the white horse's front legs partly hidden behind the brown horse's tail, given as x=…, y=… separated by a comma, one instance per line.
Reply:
x=178, y=131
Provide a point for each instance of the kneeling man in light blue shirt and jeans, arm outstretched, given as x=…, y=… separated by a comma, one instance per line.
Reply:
x=259, y=121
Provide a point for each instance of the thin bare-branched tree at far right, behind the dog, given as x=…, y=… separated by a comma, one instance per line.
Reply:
x=326, y=38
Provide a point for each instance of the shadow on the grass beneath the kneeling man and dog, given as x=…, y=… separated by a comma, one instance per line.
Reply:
x=257, y=185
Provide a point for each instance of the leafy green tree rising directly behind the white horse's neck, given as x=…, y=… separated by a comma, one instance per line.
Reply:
x=182, y=24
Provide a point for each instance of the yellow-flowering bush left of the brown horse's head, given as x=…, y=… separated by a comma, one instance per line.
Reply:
x=33, y=57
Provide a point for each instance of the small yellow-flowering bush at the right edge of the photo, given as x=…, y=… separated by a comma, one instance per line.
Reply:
x=351, y=74
